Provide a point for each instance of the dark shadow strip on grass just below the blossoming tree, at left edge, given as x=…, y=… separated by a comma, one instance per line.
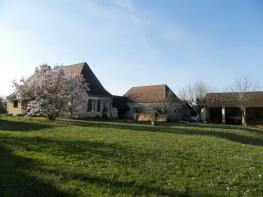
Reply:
x=6, y=125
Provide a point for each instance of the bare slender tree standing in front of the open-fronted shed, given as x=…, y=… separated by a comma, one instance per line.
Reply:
x=241, y=96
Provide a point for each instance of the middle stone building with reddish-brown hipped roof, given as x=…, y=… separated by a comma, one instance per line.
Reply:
x=154, y=99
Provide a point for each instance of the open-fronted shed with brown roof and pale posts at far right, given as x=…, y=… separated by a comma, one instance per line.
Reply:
x=222, y=108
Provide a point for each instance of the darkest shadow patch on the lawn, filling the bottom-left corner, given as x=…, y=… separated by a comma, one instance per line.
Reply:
x=15, y=182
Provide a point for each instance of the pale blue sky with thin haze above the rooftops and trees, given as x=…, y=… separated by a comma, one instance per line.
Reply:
x=134, y=42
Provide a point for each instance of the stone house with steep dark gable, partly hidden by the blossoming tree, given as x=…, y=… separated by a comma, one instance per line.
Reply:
x=99, y=103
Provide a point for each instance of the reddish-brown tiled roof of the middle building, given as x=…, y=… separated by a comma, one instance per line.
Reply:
x=151, y=94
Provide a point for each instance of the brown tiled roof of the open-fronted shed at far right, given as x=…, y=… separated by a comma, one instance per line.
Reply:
x=254, y=99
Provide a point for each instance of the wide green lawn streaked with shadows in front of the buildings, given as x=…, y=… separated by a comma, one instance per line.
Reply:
x=43, y=158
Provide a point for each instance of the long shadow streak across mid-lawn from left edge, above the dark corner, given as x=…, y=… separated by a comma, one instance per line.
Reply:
x=64, y=147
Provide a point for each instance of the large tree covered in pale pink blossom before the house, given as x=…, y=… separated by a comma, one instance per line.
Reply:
x=51, y=91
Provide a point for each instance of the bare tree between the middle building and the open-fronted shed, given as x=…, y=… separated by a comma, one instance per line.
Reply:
x=194, y=96
